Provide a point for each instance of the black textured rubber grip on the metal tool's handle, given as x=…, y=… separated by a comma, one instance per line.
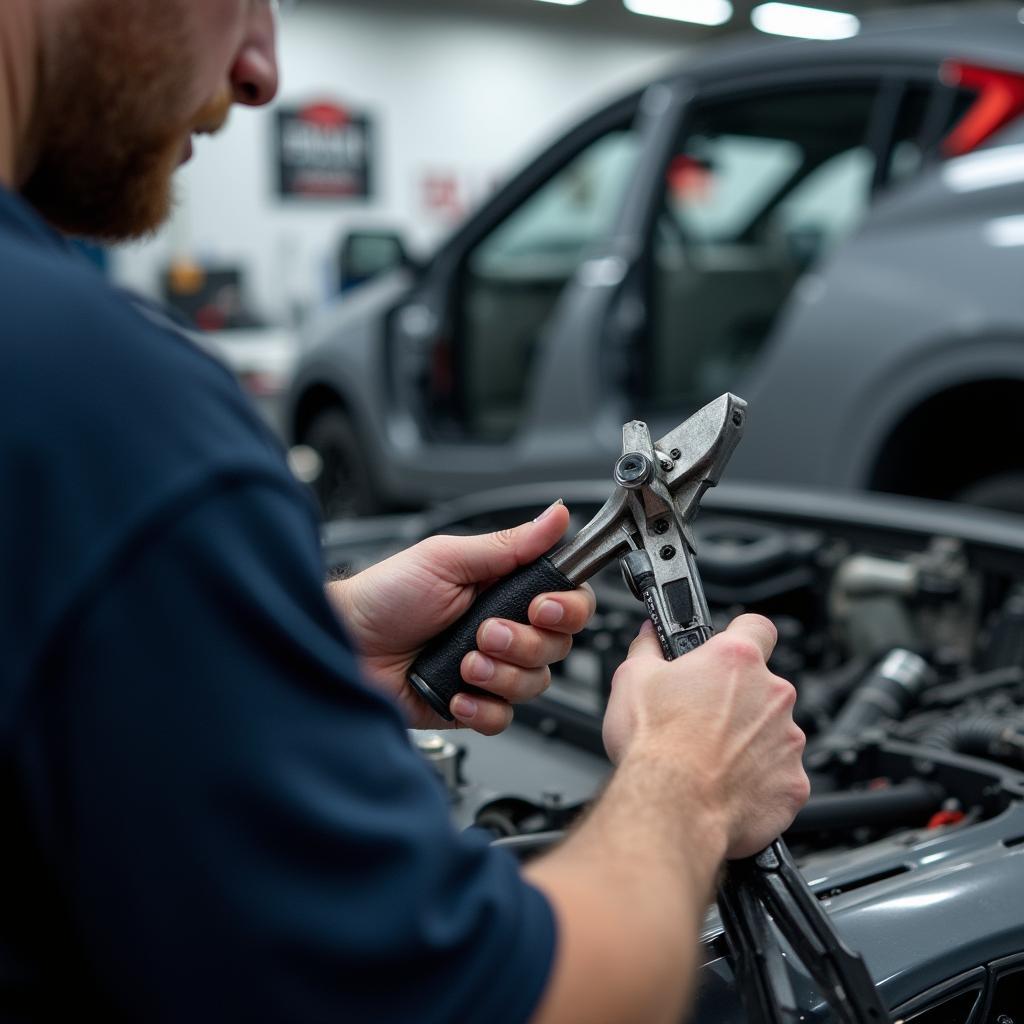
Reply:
x=436, y=675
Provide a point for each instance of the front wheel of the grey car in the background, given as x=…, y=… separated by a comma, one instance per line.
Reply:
x=344, y=486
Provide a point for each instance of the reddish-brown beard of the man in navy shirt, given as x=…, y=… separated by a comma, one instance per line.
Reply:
x=112, y=139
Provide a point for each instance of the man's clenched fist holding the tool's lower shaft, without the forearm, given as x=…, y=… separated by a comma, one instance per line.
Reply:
x=724, y=719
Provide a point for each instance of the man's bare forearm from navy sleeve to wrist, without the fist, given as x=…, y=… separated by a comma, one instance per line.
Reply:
x=630, y=888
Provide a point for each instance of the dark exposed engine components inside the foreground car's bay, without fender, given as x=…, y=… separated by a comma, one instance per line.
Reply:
x=913, y=639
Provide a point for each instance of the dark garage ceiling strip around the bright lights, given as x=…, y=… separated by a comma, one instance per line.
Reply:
x=606, y=17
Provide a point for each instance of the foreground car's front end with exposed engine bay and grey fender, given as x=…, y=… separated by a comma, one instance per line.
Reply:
x=902, y=625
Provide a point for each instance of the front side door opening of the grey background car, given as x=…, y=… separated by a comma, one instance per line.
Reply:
x=514, y=278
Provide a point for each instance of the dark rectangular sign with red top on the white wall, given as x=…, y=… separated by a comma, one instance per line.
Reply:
x=324, y=152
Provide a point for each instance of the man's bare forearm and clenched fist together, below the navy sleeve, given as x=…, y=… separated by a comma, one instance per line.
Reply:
x=709, y=766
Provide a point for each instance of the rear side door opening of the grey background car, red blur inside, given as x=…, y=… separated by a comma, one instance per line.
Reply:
x=759, y=189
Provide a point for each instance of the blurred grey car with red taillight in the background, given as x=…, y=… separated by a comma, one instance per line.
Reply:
x=833, y=231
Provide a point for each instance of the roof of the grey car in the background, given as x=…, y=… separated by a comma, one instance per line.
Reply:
x=989, y=34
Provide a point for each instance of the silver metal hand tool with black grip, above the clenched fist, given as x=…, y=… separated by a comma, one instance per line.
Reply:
x=646, y=524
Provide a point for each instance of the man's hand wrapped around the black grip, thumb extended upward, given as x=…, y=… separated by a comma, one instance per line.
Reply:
x=393, y=610
